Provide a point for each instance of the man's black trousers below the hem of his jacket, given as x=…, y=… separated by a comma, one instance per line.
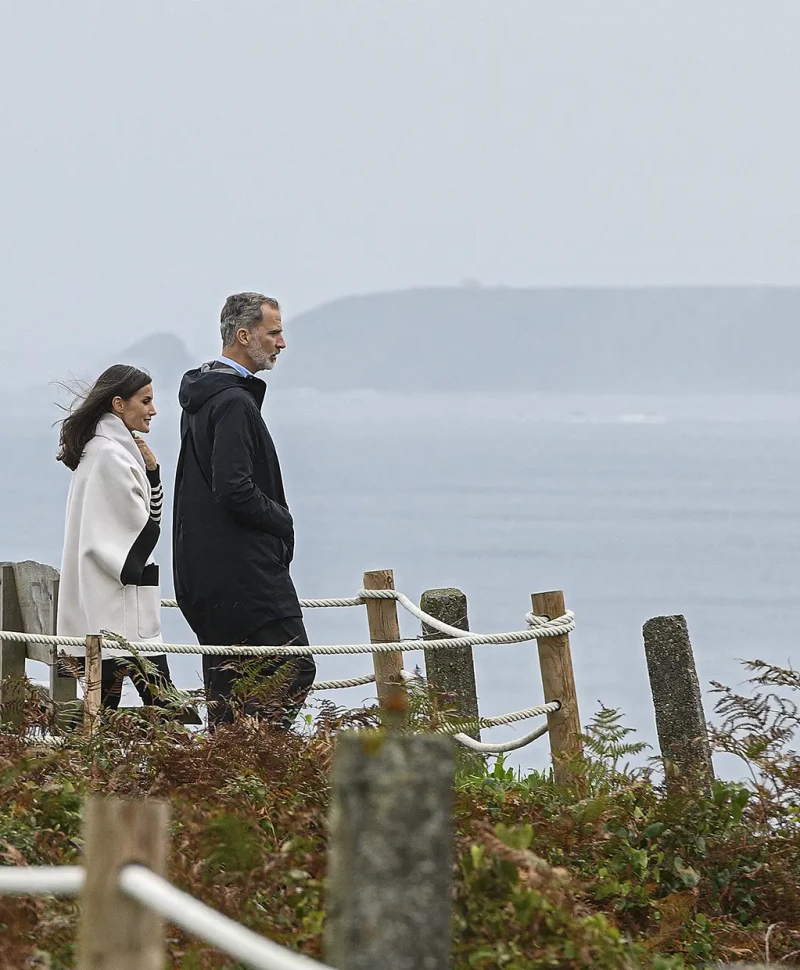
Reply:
x=271, y=689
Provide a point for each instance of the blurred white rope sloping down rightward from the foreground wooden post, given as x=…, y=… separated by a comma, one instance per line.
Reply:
x=195, y=917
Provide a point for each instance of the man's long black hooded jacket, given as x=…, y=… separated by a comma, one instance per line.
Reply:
x=233, y=535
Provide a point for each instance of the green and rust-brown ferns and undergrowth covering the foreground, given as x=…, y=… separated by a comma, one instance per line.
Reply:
x=629, y=875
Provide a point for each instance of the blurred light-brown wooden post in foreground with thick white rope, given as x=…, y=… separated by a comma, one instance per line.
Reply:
x=116, y=932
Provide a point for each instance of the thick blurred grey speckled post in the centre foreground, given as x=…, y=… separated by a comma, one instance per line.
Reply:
x=390, y=853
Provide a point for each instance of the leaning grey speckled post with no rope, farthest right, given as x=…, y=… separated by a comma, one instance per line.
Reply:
x=678, y=702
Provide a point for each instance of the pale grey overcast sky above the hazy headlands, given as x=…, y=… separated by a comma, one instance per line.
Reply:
x=158, y=155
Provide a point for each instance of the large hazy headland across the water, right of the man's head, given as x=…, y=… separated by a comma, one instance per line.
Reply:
x=659, y=340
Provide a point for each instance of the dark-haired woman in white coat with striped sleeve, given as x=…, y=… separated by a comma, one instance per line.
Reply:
x=109, y=580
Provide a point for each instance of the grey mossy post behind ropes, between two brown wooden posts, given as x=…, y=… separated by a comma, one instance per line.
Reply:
x=452, y=671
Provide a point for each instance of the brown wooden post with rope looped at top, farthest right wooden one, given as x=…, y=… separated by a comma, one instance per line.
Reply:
x=558, y=682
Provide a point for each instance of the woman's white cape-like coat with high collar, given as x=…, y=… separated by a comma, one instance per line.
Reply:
x=109, y=580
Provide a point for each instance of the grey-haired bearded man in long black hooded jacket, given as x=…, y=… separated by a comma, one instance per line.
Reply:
x=233, y=535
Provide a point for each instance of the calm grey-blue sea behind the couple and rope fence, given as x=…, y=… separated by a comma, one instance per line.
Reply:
x=635, y=508
